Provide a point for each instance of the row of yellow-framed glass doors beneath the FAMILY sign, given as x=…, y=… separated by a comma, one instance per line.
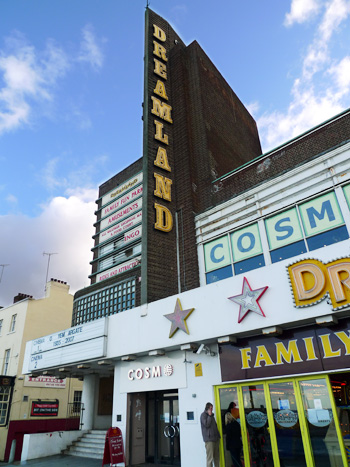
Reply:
x=289, y=423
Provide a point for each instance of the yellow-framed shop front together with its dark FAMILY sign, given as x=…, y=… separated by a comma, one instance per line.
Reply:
x=291, y=398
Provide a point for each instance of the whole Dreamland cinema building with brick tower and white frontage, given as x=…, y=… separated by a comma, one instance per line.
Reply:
x=218, y=274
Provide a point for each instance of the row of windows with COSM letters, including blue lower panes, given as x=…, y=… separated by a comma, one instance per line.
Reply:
x=305, y=227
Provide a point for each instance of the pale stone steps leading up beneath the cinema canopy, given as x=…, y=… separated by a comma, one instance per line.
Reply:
x=91, y=444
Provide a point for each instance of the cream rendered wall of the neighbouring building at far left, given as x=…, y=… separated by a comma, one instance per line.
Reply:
x=35, y=318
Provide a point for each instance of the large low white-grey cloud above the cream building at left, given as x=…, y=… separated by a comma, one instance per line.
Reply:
x=65, y=226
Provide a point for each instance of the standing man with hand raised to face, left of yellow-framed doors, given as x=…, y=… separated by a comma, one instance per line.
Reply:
x=211, y=436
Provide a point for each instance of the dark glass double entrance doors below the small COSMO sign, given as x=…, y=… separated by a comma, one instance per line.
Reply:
x=163, y=428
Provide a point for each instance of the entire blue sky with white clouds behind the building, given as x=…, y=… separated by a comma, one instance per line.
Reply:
x=71, y=89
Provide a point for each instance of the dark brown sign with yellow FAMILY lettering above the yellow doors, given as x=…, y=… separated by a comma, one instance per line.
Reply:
x=303, y=350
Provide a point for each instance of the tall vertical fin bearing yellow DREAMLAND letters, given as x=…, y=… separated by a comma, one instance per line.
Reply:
x=158, y=232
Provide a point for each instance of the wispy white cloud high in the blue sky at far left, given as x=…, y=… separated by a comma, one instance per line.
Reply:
x=27, y=77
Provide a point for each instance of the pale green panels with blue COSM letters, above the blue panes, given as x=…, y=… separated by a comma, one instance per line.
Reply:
x=302, y=223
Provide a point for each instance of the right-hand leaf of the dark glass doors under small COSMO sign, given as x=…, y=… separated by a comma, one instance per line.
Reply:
x=168, y=430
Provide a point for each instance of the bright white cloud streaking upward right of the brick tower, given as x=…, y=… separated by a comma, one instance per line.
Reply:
x=323, y=88
